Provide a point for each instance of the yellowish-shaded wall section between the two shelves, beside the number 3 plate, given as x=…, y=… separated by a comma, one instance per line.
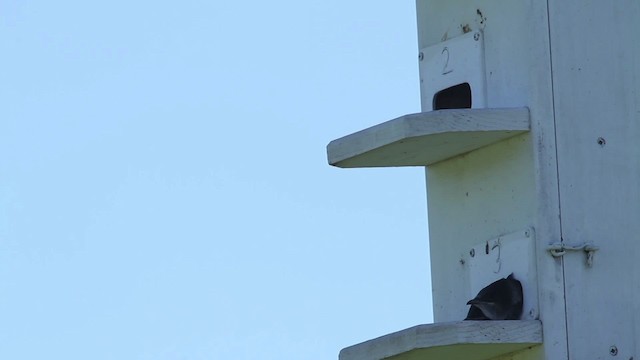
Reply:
x=473, y=198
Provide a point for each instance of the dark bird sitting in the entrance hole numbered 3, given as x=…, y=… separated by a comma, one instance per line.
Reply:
x=500, y=300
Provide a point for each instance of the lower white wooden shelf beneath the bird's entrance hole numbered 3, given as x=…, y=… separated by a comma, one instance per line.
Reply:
x=469, y=340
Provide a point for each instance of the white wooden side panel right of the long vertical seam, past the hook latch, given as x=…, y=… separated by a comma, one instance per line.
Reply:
x=596, y=76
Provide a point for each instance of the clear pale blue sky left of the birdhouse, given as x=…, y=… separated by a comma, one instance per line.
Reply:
x=164, y=188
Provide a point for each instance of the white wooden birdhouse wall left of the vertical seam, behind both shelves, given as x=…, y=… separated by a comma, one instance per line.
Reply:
x=511, y=184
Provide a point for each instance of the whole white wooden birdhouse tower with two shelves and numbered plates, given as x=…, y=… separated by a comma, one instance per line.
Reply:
x=530, y=135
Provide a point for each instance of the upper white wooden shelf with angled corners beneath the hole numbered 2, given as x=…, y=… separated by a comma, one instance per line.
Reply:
x=425, y=138
